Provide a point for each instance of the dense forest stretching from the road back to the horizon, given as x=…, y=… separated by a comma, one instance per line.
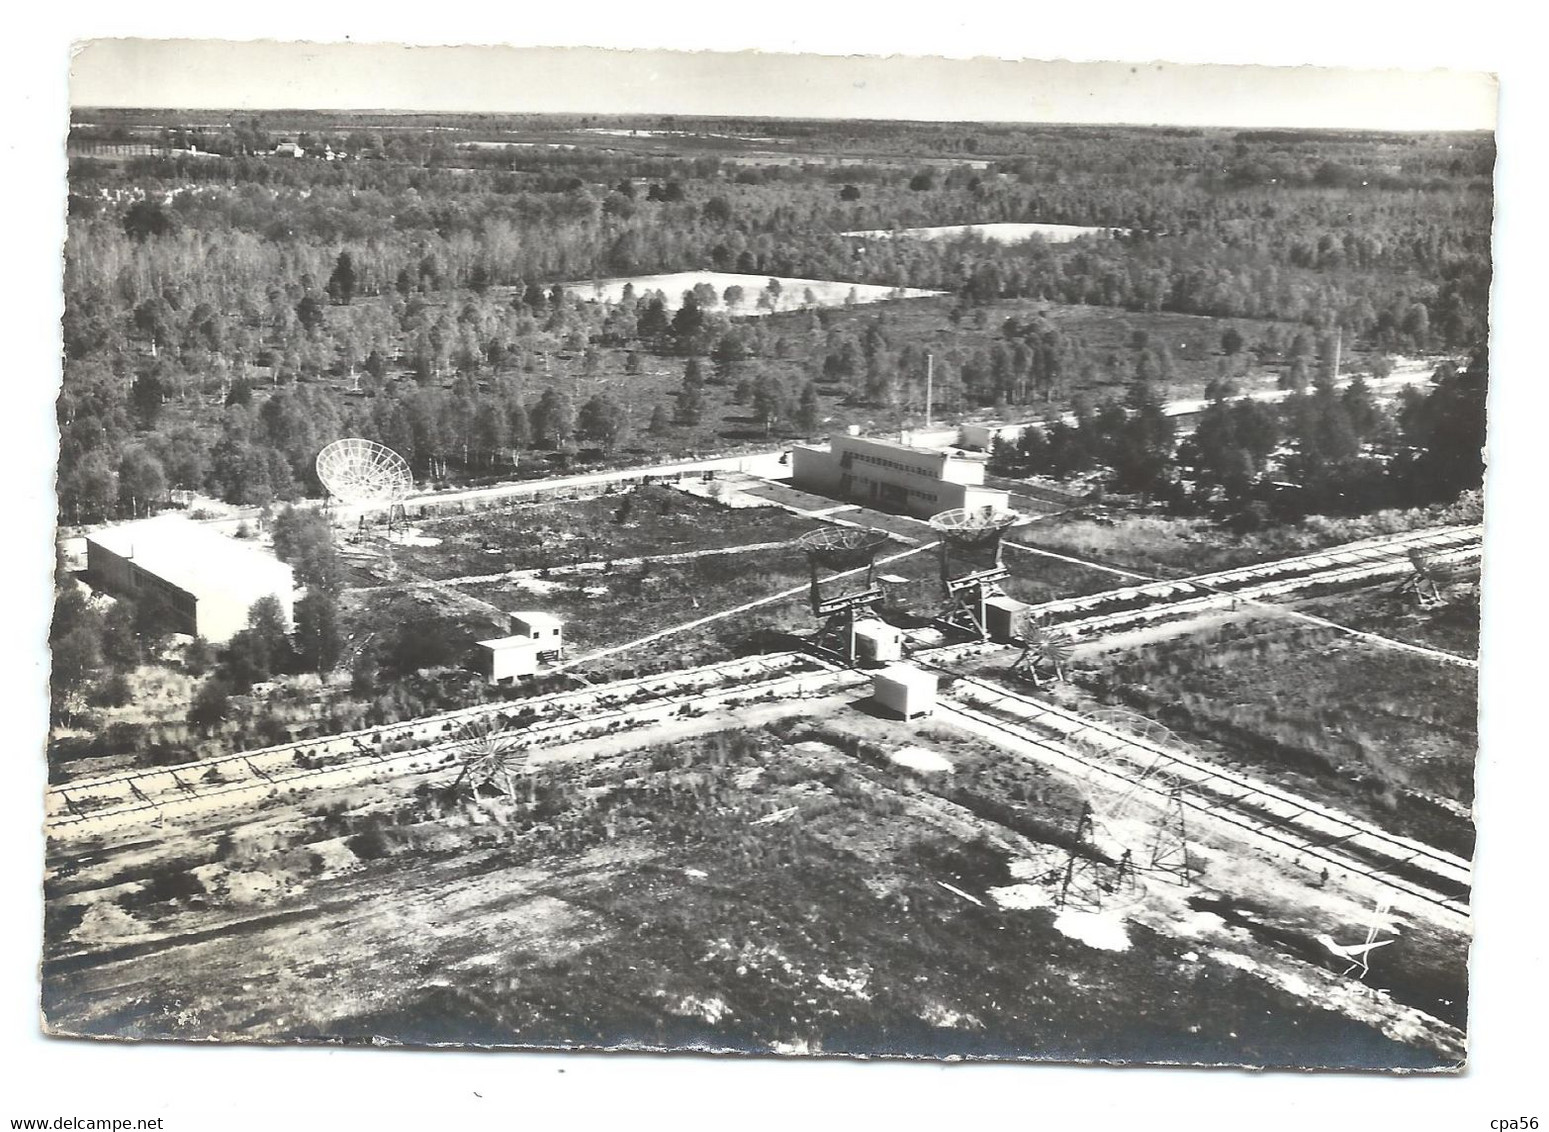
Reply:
x=228, y=312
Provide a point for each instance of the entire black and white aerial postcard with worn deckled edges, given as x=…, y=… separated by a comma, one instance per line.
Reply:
x=795, y=555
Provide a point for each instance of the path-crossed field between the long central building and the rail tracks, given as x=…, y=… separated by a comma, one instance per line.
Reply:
x=678, y=558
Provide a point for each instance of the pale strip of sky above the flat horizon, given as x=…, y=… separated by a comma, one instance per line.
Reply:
x=270, y=75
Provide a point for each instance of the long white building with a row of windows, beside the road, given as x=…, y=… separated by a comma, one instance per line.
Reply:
x=893, y=476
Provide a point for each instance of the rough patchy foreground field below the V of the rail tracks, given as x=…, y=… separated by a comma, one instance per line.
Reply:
x=778, y=888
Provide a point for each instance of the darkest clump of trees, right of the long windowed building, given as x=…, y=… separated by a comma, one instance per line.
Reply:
x=1324, y=450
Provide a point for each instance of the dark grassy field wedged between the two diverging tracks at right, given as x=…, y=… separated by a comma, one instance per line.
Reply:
x=1384, y=735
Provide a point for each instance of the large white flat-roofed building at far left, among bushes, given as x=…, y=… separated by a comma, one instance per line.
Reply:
x=207, y=581
